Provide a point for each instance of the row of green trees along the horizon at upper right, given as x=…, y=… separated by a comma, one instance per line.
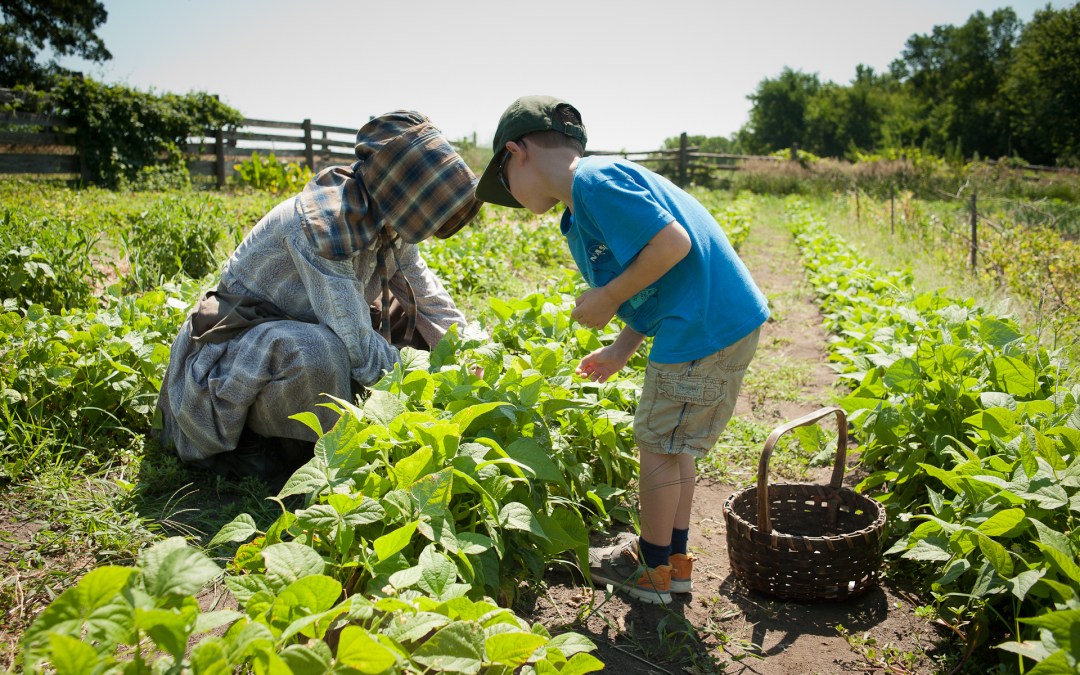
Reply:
x=993, y=88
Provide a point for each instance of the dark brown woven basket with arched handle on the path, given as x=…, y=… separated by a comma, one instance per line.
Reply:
x=827, y=545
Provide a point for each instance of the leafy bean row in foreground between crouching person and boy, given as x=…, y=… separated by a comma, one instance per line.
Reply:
x=437, y=494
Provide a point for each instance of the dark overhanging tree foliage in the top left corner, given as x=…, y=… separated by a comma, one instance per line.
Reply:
x=66, y=28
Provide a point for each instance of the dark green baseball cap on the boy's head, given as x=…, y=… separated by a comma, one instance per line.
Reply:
x=525, y=116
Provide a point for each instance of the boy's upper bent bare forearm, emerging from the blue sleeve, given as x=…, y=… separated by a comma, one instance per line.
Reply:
x=598, y=306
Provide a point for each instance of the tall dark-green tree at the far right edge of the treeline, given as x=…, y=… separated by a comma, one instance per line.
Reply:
x=1044, y=88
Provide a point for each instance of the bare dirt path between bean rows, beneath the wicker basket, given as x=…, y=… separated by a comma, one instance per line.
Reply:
x=723, y=626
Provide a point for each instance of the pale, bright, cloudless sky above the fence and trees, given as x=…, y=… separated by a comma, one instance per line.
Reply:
x=640, y=72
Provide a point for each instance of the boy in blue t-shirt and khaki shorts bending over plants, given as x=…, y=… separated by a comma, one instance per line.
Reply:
x=656, y=258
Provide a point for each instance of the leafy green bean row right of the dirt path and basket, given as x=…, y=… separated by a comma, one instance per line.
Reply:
x=970, y=434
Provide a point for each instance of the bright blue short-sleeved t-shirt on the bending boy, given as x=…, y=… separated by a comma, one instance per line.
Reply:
x=703, y=305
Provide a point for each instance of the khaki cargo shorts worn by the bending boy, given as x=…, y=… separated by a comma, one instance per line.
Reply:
x=685, y=407
